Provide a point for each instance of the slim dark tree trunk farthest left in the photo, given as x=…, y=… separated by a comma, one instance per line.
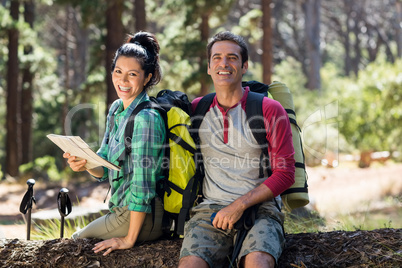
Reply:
x=13, y=96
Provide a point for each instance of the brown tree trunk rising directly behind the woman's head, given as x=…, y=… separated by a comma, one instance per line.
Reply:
x=114, y=39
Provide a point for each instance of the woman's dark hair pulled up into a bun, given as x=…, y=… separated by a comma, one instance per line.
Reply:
x=144, y=47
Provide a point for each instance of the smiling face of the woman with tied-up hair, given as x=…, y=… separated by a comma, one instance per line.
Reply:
x=128, y=79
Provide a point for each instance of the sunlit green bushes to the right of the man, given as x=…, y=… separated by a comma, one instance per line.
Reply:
x=348, y=114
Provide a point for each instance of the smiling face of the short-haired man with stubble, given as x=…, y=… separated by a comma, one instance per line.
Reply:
x=225, y=67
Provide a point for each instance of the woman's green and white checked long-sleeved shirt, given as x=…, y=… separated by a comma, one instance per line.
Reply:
x=134, y=186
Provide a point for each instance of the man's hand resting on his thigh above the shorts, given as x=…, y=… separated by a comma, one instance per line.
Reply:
x=228, y=216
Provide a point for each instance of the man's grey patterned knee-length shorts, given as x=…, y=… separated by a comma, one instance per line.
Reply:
x=215, y=246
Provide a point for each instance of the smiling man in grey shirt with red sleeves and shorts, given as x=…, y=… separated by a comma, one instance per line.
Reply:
x=231, y=158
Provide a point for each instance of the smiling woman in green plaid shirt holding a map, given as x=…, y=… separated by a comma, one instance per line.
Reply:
x=135, y=69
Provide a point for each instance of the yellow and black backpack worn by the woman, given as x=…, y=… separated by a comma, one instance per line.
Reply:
x=179, y=185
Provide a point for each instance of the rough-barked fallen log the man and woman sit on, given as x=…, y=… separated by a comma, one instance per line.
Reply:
x=377, y=248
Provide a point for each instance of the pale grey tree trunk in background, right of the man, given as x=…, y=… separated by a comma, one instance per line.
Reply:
x=312, y=20
